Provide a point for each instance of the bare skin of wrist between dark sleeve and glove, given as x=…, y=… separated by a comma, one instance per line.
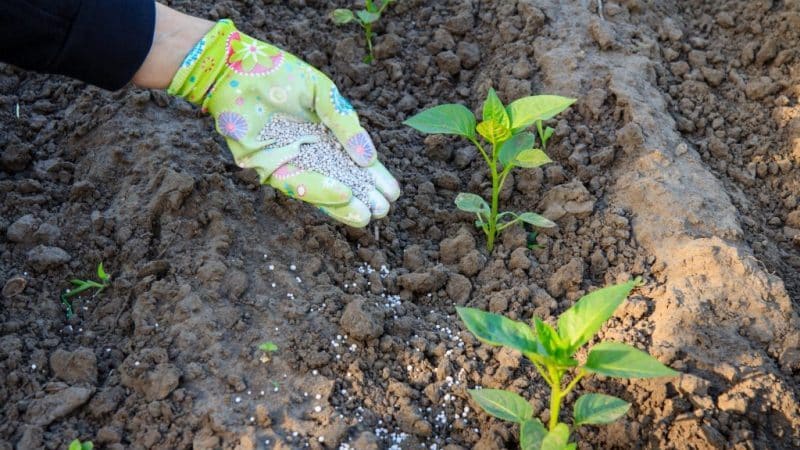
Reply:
x=174, y=36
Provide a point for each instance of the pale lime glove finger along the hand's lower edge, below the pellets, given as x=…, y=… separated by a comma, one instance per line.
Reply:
x=311, y=187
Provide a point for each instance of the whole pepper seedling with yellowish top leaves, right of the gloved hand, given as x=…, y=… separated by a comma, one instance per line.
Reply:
x=504, y=128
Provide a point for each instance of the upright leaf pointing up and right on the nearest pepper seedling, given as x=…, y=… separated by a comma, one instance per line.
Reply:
x=578, y=324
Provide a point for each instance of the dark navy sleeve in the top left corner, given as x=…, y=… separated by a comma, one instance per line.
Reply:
x=101, y=42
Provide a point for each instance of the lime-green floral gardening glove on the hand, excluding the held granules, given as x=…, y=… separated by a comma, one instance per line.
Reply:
x=244, y=82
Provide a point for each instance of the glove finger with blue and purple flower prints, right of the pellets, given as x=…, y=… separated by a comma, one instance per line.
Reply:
x=338, y=115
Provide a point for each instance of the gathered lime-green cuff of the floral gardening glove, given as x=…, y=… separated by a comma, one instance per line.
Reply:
x=199, y=71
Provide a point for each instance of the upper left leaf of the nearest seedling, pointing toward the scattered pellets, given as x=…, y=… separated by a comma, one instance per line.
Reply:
x=494, y=329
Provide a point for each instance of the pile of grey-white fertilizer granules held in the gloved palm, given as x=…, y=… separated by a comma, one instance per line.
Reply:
x=326, y=156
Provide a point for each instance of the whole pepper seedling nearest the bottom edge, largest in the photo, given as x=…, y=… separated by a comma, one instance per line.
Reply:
x=552, y=353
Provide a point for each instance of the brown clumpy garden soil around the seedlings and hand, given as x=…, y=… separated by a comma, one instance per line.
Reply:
x=679, y=163
